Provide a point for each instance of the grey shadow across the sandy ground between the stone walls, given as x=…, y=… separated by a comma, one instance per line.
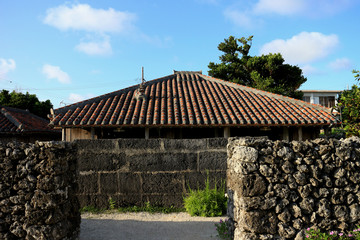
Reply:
x=99, y=229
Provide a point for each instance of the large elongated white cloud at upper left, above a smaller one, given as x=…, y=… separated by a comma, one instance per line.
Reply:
x=84, y=17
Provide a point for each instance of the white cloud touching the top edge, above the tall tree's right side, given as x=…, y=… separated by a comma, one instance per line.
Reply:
x=281, y=7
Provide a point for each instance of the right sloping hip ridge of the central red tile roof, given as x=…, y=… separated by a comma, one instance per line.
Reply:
x=268, y=94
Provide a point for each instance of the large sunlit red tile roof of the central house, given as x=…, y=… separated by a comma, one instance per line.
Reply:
x=191, y=99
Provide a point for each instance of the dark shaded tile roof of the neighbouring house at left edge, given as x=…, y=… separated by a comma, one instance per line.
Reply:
x=13, y=120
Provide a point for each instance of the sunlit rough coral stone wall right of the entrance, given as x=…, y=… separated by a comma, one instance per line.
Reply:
x=277, y=189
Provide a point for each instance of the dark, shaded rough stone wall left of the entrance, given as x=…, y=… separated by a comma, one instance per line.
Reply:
x=38, y=191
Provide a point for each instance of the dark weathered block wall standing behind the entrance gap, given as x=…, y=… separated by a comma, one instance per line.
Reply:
x=136, y=171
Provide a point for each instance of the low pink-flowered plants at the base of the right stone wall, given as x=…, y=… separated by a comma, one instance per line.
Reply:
x=315, y=234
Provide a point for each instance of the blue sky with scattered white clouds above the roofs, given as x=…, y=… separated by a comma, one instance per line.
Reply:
x=68, y=51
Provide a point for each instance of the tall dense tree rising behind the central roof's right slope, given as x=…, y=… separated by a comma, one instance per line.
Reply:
x=265, y=72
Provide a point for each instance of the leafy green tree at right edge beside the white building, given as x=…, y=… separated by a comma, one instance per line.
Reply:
x=349, y=107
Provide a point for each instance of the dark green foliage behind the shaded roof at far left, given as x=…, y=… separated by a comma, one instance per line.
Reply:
x=25, y=101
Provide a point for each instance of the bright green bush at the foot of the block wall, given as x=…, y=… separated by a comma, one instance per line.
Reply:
x=207, y=202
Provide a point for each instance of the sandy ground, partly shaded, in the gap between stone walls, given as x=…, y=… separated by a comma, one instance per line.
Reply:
x=147, y=226
